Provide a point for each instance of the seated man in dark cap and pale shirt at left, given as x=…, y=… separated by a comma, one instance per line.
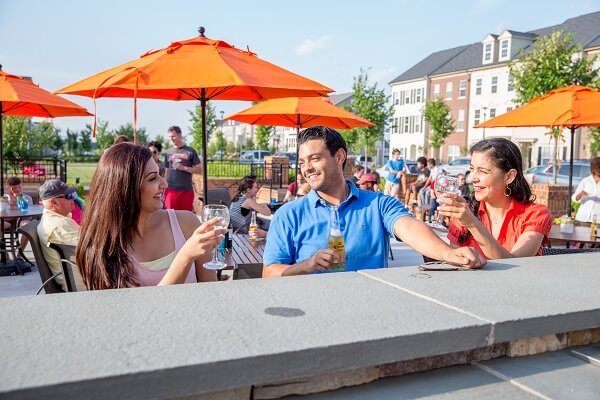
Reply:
x=56, y=225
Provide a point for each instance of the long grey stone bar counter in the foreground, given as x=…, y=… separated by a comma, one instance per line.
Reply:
x=266, y=338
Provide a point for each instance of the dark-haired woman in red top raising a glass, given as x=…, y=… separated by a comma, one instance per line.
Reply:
x=502, y=220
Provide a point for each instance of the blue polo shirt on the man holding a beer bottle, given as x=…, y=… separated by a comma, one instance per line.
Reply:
x=300, y=228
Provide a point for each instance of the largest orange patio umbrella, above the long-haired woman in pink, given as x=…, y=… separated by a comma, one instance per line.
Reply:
x=197, y=69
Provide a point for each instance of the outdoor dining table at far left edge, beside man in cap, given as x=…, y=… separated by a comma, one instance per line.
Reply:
x=14, y=216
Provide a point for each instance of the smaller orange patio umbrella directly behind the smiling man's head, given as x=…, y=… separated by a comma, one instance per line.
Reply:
x=300, y=112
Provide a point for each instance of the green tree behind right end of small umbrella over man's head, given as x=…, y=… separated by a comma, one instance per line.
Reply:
x=372, y=104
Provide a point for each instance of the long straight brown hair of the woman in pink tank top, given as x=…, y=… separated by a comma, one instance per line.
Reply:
x=111, y=218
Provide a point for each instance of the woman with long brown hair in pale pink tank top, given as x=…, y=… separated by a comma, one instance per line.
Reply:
x=127, y=240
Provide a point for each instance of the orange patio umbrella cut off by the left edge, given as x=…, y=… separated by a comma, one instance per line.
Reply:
x=21, y=97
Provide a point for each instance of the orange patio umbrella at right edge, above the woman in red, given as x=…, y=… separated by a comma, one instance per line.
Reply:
x=569, y=107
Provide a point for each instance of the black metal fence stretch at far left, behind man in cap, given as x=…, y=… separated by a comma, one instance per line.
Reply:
x=35, y=170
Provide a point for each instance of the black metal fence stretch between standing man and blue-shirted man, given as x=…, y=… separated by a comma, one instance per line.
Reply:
x=275, y=175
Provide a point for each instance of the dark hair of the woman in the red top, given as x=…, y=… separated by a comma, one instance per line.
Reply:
x=506, y=156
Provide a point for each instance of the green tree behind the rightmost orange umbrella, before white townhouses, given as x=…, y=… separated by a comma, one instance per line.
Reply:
x=554, y=61
